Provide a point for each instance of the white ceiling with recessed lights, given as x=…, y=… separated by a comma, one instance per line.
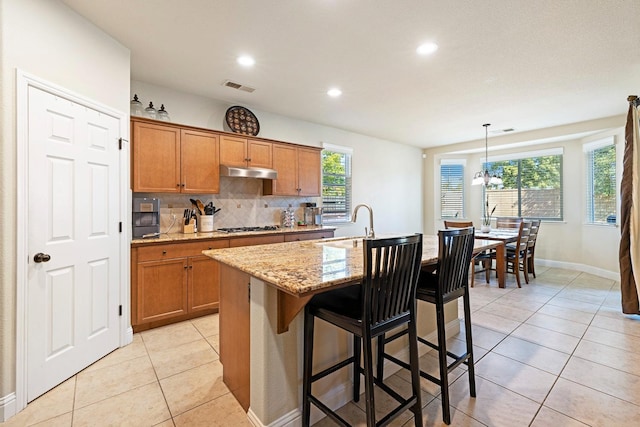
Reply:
x=515, y=64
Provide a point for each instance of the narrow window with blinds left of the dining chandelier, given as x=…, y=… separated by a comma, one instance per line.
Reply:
x=451, y=189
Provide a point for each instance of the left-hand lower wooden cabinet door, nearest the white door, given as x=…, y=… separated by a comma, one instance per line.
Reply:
x=162, y=289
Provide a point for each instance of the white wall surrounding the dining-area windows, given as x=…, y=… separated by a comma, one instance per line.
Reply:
x=570, y=243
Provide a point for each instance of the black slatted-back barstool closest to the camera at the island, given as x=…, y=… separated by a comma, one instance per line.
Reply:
x=385, y=300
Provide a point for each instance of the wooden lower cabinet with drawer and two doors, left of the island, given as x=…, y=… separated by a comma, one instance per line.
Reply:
x=173, y=282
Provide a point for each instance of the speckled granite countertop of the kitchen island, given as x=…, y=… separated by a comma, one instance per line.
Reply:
x=300, y=268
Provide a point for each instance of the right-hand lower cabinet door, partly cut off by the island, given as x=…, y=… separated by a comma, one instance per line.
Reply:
x=204, y=283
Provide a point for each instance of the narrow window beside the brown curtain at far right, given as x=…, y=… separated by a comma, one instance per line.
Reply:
x=601, y=181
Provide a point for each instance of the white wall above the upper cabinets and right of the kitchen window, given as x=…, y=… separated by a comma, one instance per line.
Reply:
x=386, y=175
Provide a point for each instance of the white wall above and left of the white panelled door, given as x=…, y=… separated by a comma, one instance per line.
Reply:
x=45, y=39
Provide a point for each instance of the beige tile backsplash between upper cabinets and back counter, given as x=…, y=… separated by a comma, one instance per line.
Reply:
x=241, y=201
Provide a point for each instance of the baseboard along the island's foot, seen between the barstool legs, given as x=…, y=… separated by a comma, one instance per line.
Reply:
x=341, y=394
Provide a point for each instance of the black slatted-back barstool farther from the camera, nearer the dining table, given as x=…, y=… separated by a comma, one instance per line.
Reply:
x=448, y=283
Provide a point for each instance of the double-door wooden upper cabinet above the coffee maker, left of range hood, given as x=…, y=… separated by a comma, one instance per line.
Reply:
x=170, y=159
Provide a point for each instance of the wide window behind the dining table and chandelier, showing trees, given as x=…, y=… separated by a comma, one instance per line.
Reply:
x=532, y=185
